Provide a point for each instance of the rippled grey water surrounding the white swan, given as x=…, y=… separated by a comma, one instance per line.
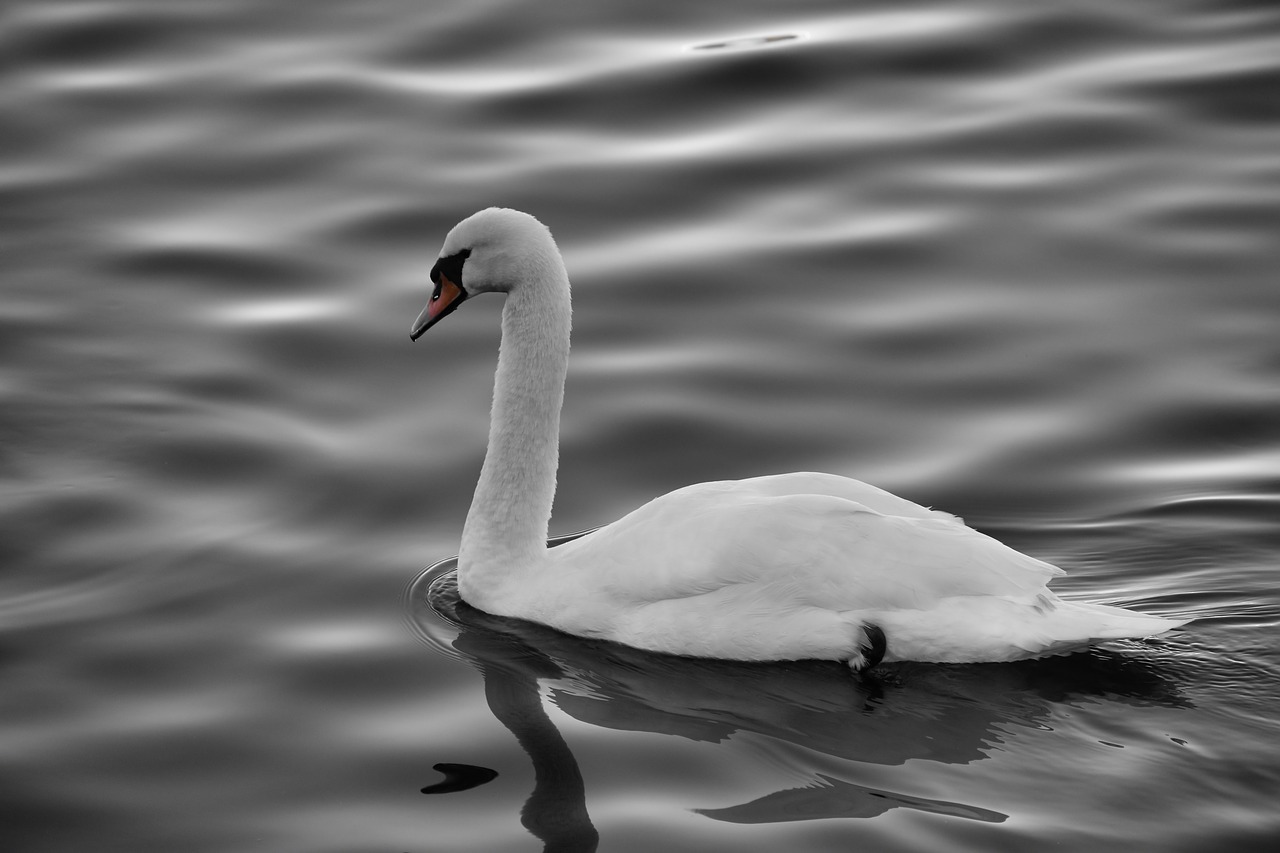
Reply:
x=1016, y=262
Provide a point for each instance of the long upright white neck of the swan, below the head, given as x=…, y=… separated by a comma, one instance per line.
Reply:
x=506, y=528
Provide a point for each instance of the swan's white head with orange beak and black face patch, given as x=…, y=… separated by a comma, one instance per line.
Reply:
x=493, y=250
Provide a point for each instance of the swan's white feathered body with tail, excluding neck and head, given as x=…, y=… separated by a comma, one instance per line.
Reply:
x=753, y=572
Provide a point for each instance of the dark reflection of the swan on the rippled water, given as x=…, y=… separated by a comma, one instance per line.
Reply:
x=936, y=713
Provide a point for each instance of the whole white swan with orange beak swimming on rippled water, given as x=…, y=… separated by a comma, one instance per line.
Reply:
x=792, y=567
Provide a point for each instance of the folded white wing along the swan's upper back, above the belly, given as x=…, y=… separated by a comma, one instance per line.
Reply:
x=811, y=550
